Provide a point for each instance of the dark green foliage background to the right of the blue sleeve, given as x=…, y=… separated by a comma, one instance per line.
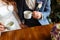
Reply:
x=55, y=12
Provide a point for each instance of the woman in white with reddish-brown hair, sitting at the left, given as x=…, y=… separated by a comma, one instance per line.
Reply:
x=8, y=20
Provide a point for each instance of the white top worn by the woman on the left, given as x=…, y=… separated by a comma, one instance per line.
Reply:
x=6, y=16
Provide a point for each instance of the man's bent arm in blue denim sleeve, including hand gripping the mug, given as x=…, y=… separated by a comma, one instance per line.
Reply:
x=43, y=12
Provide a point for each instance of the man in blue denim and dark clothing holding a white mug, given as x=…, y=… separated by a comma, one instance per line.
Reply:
x=39, y=17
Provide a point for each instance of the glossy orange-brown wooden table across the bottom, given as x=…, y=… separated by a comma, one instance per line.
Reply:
x=33, y=33
